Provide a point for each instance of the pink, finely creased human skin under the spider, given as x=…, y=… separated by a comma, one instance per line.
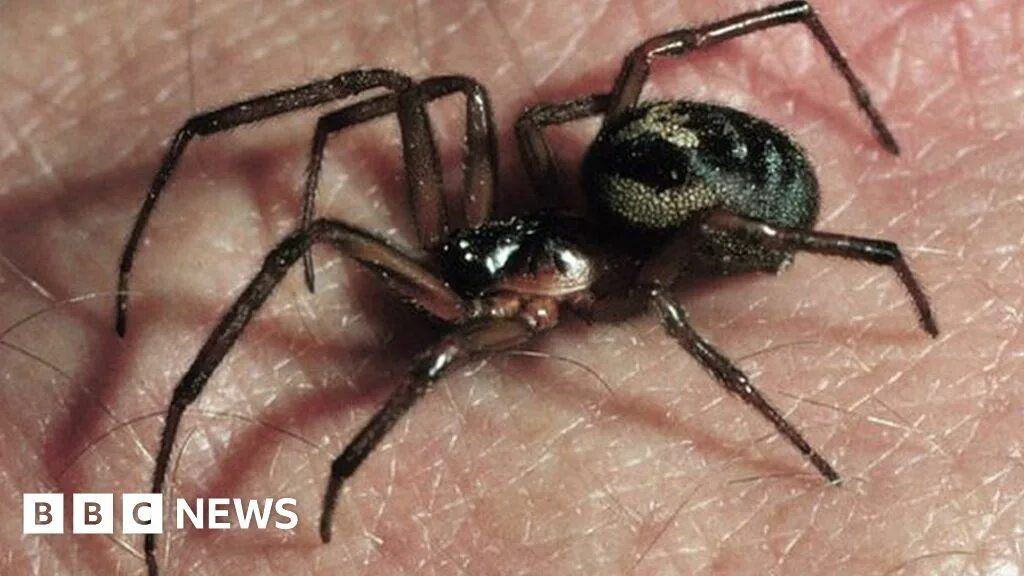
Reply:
x=513, y=466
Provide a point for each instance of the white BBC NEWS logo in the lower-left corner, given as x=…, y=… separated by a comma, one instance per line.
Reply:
x=144, y=514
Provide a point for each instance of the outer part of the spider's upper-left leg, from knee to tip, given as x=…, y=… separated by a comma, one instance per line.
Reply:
x=233, y=116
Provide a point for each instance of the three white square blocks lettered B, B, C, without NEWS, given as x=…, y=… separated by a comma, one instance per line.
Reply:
x=93, y=514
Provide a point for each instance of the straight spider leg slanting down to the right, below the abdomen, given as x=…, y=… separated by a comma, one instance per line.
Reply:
x=674, y=318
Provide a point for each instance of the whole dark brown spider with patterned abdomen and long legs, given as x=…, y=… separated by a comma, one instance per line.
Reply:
x=676, y=189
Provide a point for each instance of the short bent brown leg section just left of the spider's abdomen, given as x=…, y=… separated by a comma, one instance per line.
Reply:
x=534, y=149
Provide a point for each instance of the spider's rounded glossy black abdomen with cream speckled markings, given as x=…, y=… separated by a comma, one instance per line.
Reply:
x=661, y=166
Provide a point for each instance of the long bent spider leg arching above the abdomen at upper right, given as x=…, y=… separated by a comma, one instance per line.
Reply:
x=677, y=44
